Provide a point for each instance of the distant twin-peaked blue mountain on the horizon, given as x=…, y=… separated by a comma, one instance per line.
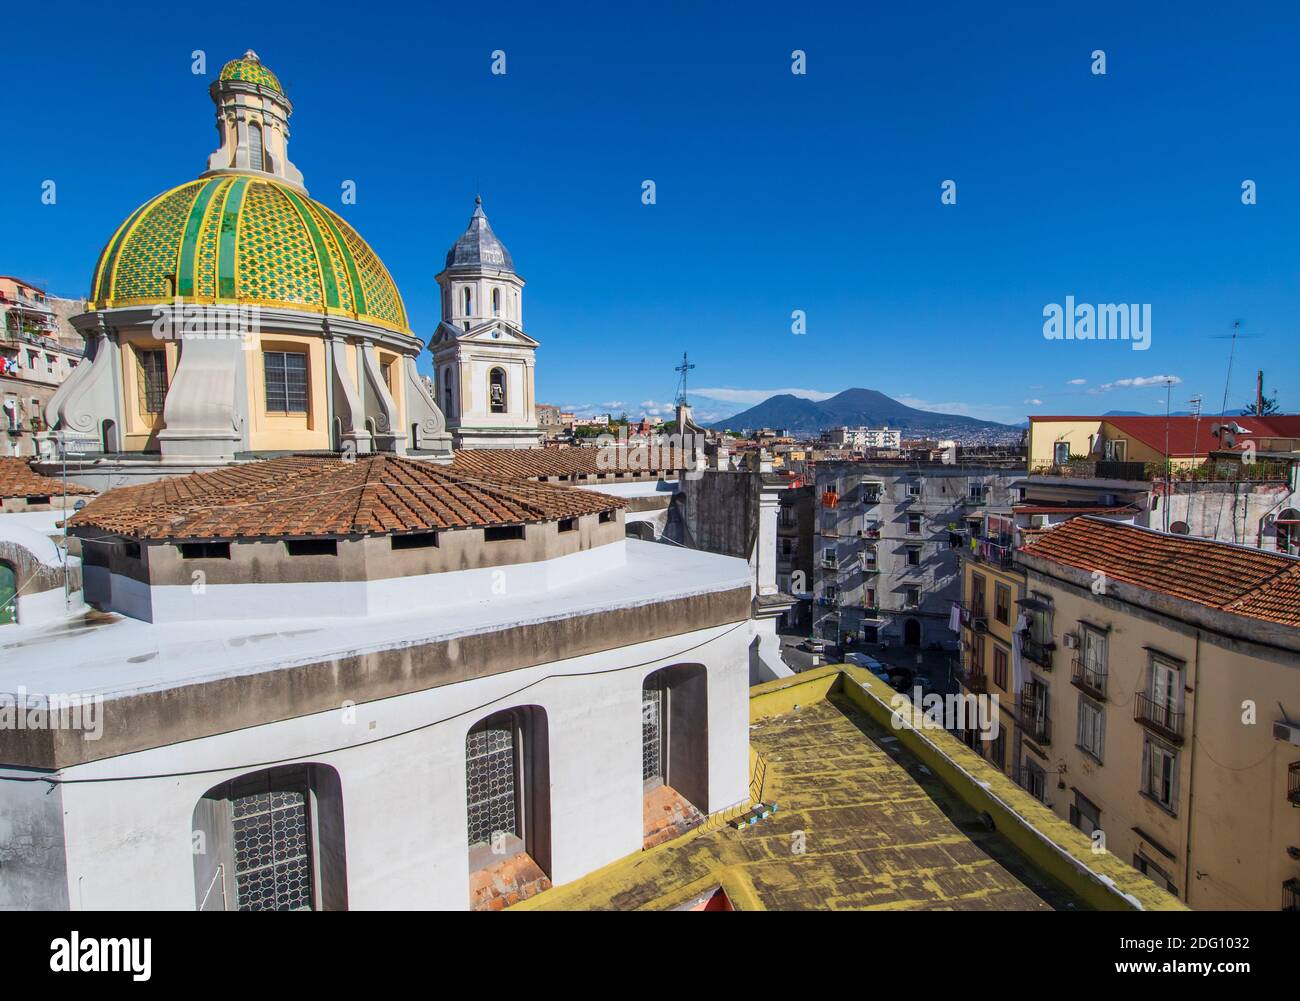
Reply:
x=853, y=408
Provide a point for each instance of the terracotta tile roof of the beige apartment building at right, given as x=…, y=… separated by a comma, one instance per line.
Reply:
x=1237, y=579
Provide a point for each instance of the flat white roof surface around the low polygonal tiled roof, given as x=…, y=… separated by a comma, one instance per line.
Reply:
x=124, y=657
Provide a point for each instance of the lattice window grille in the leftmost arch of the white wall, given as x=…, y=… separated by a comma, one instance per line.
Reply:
x=272, y=848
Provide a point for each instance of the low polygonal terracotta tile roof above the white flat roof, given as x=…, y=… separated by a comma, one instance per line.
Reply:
x=313, y=496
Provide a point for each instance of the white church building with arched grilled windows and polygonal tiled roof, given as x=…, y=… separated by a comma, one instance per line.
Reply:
x=309, y=683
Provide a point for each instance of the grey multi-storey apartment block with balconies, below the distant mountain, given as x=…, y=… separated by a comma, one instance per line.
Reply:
x=887, y=547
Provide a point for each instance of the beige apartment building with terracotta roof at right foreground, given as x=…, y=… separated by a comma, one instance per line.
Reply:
x=1159, y=705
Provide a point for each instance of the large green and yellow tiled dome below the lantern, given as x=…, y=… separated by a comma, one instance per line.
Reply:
x=249, y=241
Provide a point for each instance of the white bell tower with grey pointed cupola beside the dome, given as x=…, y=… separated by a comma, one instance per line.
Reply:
x=483, y=358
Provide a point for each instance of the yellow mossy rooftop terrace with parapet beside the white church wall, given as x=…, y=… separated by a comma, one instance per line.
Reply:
x=870, y=817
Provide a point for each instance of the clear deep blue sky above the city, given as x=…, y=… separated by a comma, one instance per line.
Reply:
x=774, y=192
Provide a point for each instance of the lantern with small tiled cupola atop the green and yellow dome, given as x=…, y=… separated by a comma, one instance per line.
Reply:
x=253, y=122
